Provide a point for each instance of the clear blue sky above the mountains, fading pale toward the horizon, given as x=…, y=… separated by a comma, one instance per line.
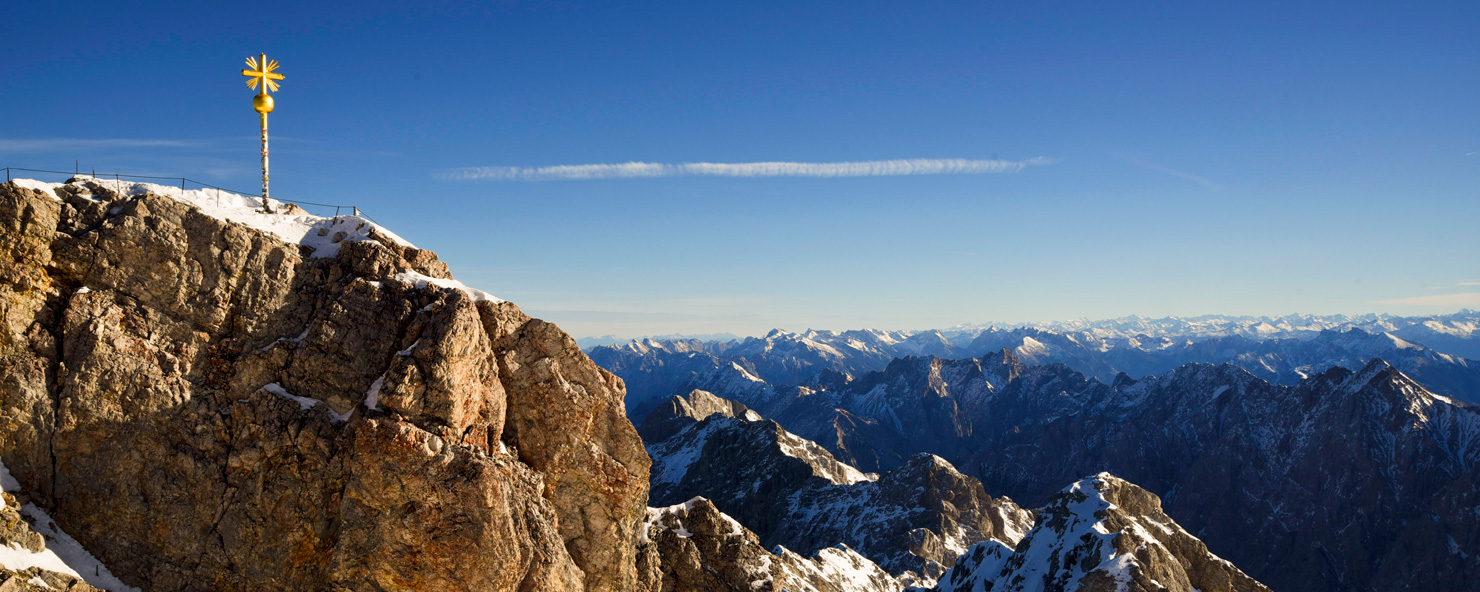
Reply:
x=1200, y=159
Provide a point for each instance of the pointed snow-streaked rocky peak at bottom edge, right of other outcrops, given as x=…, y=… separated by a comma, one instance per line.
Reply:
x=1099, y=535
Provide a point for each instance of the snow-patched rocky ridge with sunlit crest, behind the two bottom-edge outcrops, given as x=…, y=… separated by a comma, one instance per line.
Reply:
x=914, y=520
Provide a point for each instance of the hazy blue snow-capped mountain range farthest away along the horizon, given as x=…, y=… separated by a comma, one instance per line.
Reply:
x=1281, y=350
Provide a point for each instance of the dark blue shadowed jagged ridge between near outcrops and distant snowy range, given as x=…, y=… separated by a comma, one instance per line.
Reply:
x=1404, y=455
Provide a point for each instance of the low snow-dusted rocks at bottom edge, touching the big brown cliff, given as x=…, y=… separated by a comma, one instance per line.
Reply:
x=693, y=547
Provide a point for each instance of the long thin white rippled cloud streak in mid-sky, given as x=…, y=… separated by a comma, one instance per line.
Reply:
x=645, y=171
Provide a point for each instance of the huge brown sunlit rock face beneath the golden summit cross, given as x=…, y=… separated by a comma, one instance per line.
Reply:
x=192, y=400
